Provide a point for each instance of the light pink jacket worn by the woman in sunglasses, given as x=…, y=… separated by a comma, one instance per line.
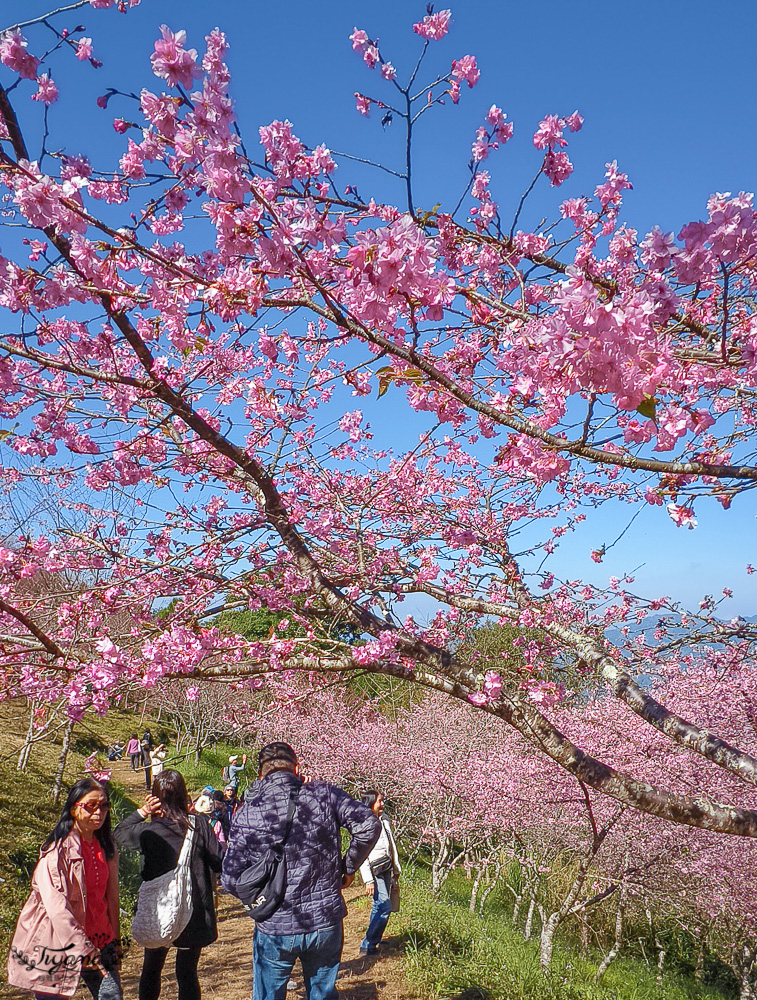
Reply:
x=49, y=943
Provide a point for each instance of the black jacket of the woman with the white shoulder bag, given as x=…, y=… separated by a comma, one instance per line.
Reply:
x=160, y=842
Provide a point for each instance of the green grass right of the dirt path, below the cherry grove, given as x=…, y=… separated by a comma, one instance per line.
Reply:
x=453, y=953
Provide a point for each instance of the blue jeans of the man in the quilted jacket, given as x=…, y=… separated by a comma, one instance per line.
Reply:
x=274, y=956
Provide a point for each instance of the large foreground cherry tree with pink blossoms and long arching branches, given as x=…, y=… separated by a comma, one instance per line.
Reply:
x=191, y=325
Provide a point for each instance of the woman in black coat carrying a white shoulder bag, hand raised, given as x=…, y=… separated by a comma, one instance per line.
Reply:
x=160, y=842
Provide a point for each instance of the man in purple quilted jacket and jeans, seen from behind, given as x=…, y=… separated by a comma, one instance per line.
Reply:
x=308, y=924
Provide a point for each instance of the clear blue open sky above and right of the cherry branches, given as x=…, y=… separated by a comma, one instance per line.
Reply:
x=669, y=89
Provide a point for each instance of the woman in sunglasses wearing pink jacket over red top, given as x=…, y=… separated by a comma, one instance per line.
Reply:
x=69, y=926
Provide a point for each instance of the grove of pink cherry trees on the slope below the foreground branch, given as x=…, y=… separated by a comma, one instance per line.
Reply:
x=465, y=797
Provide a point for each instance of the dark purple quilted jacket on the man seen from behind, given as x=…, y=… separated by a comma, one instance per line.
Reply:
x=313, y=897
